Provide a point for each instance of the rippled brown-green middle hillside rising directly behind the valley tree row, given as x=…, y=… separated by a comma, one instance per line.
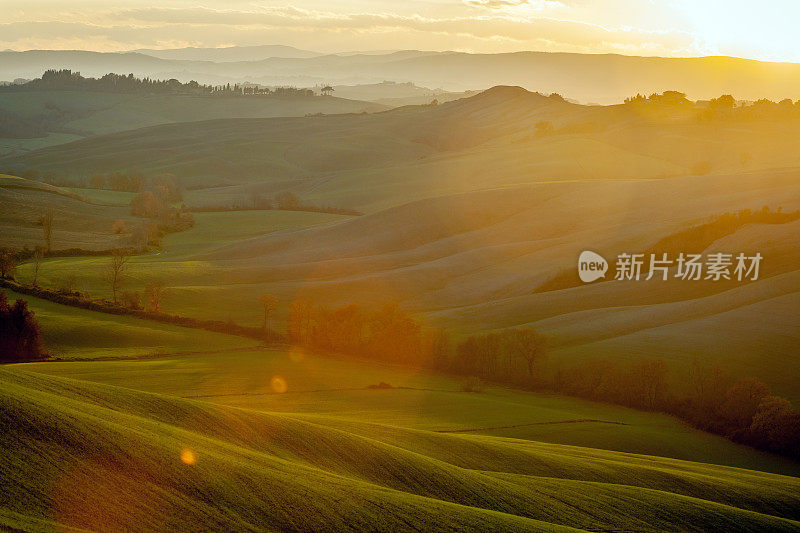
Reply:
x=476, y=269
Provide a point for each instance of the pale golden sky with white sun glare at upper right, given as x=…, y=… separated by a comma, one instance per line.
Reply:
x=763, y=30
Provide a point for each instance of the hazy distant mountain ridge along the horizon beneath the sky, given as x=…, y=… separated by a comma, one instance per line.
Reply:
x=589, y=78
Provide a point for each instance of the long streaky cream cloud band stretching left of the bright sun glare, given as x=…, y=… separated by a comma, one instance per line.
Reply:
x=491, y=30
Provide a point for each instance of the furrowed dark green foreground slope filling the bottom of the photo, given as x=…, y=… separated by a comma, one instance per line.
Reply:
x=100, y=457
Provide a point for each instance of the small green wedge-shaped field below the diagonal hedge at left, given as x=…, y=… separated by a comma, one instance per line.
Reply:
x=73, y=333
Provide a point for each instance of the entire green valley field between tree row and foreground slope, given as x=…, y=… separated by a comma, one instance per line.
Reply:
x=233, y=371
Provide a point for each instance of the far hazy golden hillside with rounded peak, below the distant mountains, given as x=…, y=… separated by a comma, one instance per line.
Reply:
x=376, y=160
